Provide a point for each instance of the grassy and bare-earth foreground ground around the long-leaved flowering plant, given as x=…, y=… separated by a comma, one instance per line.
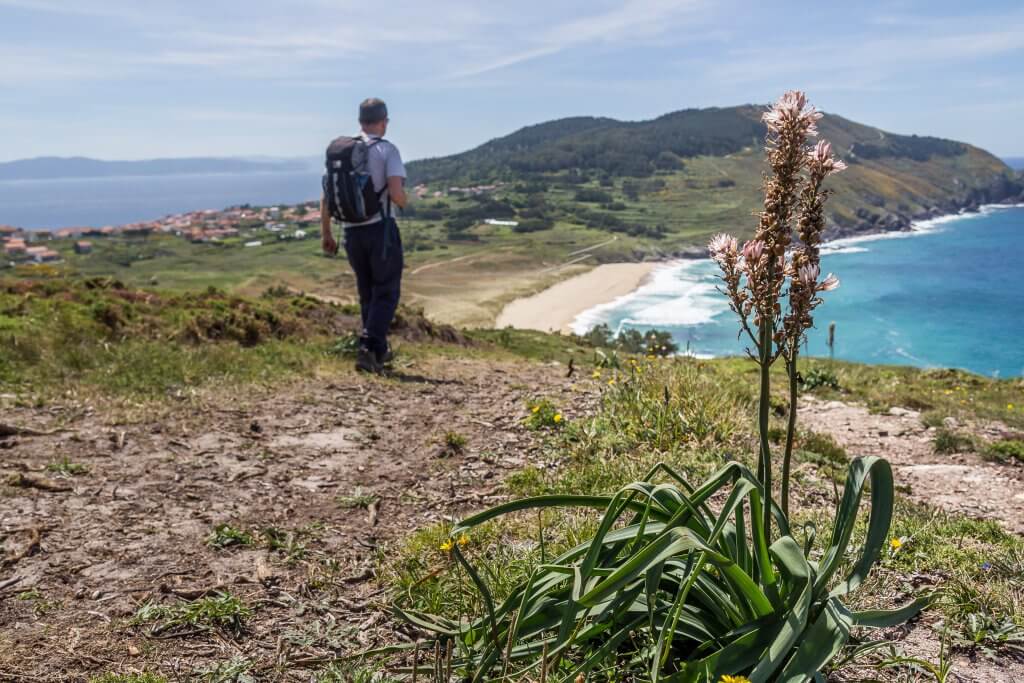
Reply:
x=199, y=487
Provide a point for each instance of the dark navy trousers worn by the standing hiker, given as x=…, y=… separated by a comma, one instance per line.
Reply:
x=375, y=254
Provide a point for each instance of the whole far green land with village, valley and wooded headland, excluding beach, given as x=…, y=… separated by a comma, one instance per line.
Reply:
x=567, y=195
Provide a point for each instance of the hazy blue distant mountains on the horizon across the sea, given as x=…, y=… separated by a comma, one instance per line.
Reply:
x=47, y=168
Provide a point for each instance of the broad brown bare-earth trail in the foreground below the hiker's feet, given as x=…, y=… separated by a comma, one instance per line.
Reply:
x=307, y=460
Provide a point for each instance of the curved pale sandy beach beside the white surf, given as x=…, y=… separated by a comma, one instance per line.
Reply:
x=557, y=308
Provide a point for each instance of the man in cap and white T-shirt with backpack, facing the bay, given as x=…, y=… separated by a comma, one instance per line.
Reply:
x=365, y=177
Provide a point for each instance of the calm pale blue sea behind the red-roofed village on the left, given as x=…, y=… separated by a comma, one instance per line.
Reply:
x=116, y=201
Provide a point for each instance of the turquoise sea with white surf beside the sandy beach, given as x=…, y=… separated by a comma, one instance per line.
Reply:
x=948, y=295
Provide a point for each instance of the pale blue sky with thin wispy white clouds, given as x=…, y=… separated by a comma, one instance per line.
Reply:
x=122, y=79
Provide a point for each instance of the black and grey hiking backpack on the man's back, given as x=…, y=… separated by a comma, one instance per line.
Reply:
x=348, y=185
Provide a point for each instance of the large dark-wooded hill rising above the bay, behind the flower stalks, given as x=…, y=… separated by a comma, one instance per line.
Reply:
x=704, y=167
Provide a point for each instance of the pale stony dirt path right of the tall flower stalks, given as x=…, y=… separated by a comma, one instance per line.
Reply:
x=960, y=483
